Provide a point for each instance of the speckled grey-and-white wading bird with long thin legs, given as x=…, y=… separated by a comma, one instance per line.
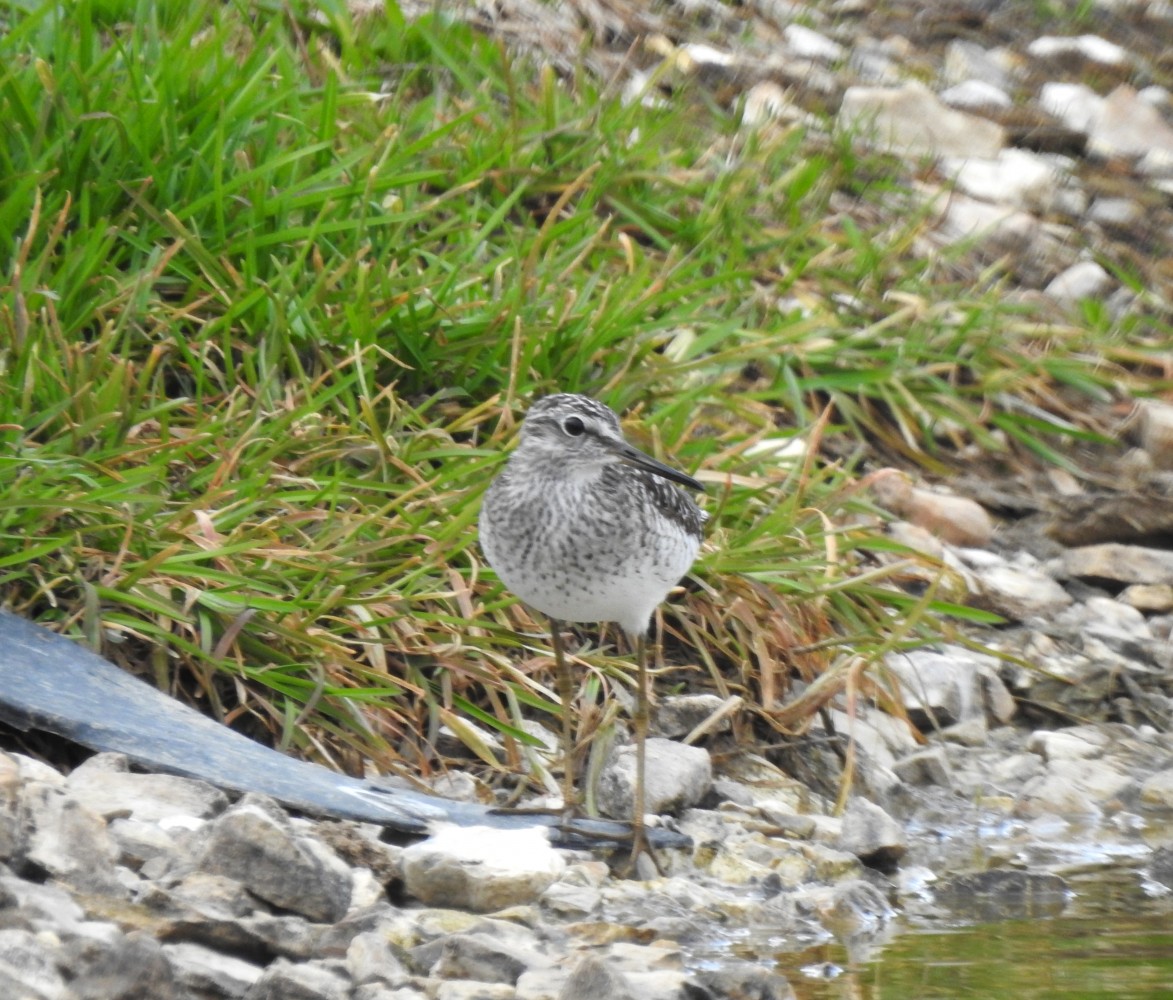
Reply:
x=586, y=528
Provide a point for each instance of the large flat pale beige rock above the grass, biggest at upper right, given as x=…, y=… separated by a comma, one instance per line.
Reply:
x=912, y=120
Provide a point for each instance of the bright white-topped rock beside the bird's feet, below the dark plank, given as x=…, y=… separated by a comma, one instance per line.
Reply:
x=482, y=869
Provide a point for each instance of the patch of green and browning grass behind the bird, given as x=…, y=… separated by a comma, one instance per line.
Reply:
x=275, y=292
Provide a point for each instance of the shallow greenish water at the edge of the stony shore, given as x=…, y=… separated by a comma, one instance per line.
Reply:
x=1114, y=940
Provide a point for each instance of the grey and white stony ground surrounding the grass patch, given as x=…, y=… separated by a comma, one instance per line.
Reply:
x=1034, y=745
